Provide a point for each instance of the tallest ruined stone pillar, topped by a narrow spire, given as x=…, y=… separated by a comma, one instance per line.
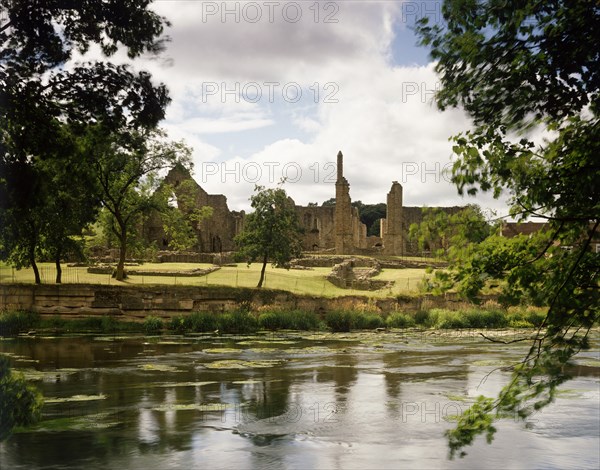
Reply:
x=343, y=211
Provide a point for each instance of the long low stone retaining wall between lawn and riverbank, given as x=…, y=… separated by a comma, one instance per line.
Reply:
x=167, y=301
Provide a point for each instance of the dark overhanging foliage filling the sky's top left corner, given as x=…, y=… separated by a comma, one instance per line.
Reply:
x=37, y=39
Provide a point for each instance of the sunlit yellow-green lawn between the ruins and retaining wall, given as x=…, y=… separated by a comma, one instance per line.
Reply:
x=311, y=282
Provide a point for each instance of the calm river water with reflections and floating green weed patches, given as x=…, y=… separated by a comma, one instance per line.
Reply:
x=358, y=400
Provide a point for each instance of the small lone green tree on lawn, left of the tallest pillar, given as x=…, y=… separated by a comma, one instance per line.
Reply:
x=271, y=232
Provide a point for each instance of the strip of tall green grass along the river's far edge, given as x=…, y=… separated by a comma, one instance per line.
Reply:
x=240, y=321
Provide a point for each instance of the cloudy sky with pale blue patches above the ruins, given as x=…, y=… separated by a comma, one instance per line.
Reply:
x=265, y=90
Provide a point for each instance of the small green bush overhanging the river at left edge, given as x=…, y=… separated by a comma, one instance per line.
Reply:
x=20, y=403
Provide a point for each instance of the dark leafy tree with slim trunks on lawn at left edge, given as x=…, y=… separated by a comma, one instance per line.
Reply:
x=45, y=203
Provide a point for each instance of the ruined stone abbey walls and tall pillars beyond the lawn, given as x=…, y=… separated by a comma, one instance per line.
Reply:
x=335, y=229
